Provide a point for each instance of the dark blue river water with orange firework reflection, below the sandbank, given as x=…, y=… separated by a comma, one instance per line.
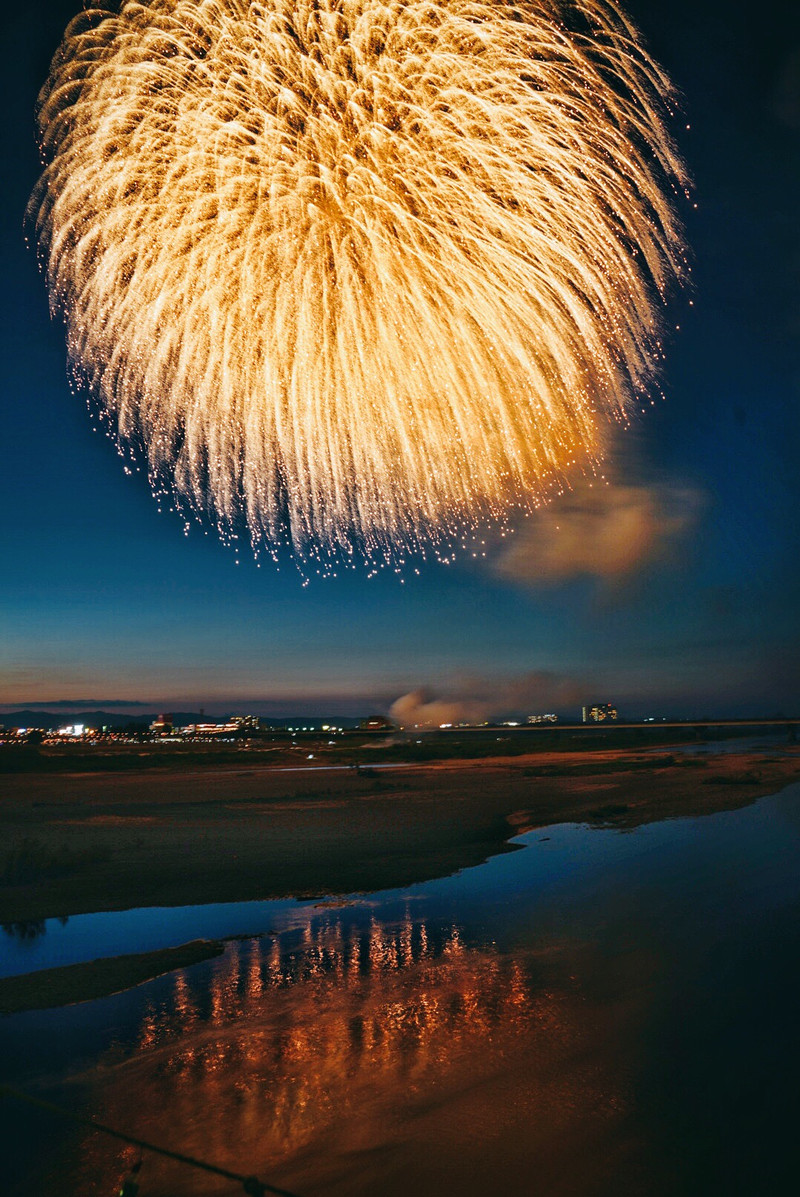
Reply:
x=598, y=1013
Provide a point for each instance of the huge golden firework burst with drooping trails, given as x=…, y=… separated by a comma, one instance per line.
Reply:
x=361, y=274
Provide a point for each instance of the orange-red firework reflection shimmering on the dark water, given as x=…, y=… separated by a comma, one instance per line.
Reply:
x=344, y=1058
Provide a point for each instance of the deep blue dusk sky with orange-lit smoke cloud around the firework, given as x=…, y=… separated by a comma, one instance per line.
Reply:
x=674, y=592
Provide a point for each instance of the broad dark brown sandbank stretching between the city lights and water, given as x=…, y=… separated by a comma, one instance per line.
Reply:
x=80, y=843
